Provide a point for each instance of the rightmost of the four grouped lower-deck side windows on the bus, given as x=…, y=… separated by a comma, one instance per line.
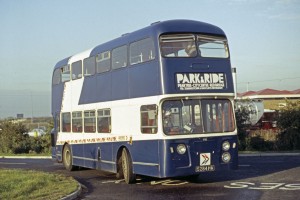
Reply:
x=104, y=121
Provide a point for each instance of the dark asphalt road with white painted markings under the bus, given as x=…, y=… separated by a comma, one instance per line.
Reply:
x=266, y=177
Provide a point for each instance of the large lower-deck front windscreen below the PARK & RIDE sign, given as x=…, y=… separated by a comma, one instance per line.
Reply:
x=198, y=116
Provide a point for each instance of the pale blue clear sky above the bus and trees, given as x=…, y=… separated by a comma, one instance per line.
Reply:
x=263, y=38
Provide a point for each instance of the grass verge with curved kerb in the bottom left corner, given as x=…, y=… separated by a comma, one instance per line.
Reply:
x=24, y=184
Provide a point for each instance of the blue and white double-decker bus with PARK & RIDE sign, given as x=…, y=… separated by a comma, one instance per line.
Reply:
x=155, y=102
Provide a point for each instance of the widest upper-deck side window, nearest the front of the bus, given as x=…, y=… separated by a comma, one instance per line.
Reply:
x=141, y=51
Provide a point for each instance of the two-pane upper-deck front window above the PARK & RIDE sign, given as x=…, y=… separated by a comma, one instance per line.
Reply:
x=190, y=45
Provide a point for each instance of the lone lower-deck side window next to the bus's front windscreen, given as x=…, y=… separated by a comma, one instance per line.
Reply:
x=149, y=119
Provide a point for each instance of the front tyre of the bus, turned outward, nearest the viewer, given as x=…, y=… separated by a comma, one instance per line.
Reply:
x=129, y=176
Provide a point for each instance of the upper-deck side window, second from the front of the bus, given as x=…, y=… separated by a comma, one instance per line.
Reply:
x=119, y=57
